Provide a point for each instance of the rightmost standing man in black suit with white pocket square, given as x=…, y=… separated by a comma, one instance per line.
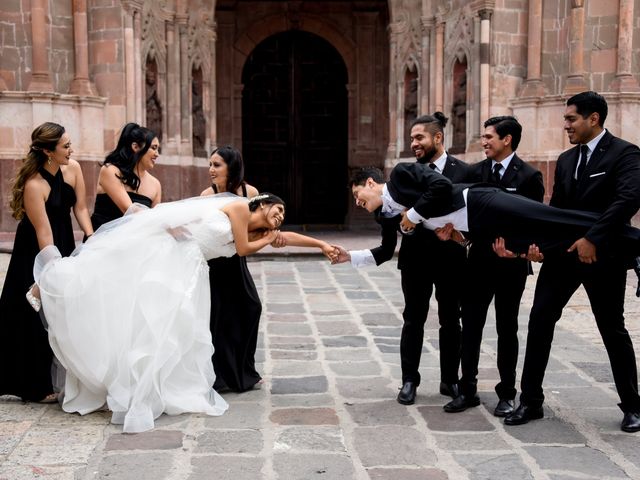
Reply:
x=600, y=174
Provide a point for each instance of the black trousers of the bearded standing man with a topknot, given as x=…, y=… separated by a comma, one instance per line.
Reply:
x=417, y=287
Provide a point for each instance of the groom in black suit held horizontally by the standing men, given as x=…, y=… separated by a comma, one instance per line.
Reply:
x=415, y=194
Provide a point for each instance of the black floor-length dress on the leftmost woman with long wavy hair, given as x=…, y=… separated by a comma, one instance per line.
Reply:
x=25, y=354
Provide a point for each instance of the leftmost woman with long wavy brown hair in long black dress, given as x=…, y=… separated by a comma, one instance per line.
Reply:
x=47, y=185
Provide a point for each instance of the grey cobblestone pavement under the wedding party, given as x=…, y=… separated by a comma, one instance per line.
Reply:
x=329, y=353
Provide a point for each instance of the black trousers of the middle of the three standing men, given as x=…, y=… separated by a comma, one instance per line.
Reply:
x=503, y=281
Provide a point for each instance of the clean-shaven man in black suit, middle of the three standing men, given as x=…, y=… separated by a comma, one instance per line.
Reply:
x=493, y=278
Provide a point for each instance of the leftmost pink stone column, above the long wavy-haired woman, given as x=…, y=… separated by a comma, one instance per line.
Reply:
x=40, y=78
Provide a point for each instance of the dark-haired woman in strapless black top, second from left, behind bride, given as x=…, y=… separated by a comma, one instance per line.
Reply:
x=124, y=177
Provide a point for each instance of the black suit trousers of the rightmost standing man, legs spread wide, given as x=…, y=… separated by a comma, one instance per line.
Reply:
x=604, y=282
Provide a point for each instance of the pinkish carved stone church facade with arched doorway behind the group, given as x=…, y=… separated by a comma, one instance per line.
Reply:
x=308, y=90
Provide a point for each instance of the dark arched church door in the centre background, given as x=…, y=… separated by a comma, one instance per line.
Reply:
x=294, y=125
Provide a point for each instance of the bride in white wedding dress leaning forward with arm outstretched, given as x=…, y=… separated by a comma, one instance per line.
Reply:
x=128, y=312
